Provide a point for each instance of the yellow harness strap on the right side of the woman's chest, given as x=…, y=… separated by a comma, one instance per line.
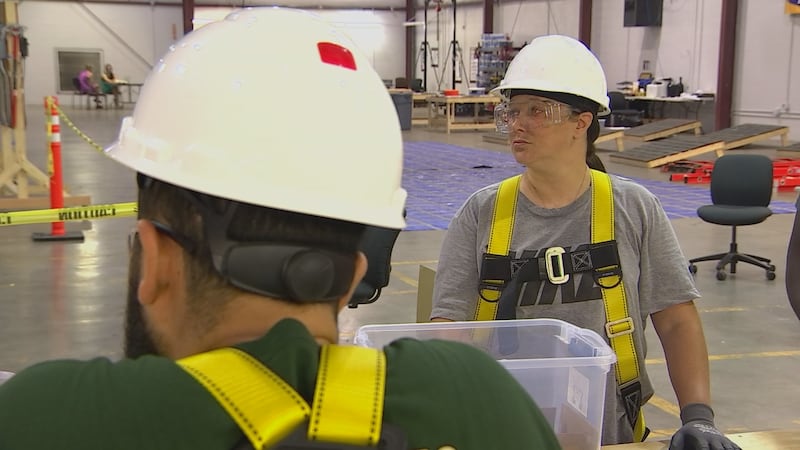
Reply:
x=619, y=325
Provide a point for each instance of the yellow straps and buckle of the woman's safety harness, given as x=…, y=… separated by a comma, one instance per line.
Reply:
x=619, y=325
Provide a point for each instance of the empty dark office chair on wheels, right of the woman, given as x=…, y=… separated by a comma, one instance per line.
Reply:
x=741, y=189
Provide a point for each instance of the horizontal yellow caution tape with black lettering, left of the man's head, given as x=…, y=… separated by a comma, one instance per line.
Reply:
x=91, y=212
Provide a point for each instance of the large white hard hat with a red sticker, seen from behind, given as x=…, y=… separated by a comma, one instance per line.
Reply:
x=272, y=107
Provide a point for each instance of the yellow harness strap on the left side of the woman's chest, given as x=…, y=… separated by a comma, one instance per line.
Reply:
x=502, y=227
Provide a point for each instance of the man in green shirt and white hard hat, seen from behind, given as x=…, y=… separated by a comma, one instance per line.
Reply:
x=252, y=204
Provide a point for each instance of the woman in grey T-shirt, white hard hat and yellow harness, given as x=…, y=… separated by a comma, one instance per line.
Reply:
x=578, y=245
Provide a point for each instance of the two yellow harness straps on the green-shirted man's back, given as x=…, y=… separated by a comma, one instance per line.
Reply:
x=348, y=398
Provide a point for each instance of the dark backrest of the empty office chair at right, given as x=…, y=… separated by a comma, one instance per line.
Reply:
x=742, y=180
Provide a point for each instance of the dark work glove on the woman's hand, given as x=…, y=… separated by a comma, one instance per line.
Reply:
x=698, y=431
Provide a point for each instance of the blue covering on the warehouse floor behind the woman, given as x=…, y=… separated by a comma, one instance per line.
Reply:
x=440, y=177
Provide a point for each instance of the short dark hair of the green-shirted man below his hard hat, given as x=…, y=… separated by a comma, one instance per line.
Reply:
x=207, y=289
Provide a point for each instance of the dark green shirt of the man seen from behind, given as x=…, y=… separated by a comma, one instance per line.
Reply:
x=441, y=393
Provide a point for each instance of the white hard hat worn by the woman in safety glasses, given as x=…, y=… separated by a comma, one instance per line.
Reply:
x=558, y=64
